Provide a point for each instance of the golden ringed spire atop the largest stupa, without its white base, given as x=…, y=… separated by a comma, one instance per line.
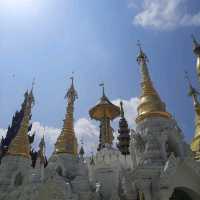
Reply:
x=150, y=104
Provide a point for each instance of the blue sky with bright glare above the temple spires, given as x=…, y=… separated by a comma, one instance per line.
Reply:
x=48, y=39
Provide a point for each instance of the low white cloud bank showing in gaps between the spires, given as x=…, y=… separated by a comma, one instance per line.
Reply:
x=86, y=130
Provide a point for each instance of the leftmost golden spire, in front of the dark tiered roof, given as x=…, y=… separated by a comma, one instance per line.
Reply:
x=20, y=144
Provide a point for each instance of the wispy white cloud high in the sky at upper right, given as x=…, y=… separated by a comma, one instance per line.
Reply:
x=165, y=14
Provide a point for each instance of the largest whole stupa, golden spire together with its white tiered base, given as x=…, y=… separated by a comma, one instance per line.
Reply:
x=156, y=140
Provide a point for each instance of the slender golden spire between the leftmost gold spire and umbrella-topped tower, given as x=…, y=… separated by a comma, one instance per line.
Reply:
x=67, y=142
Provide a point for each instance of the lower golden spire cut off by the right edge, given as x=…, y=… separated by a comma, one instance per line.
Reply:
x=195, y=146
